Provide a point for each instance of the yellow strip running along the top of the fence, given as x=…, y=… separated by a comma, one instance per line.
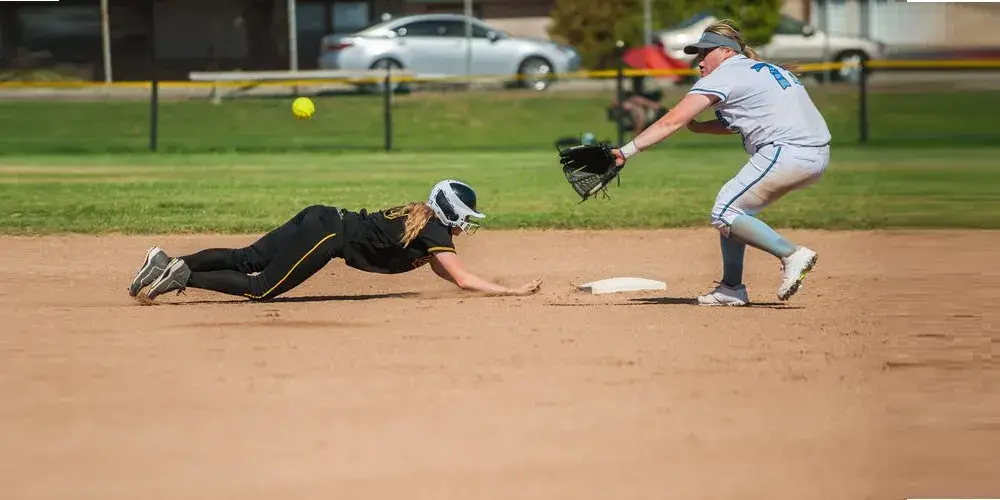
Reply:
x=576, y=75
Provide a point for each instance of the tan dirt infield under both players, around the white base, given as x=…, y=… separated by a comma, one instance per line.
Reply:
x=874, y=382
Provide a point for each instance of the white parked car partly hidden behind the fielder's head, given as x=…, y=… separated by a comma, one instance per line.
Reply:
x=793, y=42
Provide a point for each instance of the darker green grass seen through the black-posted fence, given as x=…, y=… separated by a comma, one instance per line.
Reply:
x=436, y=121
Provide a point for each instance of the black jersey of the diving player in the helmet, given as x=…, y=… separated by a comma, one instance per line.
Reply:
x=373, y=241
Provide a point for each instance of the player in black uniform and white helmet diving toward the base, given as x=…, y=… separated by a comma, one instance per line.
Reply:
x=390, y=241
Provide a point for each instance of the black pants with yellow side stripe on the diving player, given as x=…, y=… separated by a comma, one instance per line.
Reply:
x=284, y=257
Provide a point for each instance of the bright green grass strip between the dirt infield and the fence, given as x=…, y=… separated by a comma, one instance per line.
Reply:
x=660, y=188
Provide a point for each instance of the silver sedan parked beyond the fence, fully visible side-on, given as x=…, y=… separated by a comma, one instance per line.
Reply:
x=435, y=45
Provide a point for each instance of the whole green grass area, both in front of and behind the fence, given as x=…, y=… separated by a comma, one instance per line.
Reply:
x=78, y=166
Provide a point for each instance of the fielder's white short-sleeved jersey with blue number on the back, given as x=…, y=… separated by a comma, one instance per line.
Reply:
x=765, y=103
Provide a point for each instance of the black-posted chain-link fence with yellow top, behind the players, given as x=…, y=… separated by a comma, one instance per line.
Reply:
x=930, y=106
